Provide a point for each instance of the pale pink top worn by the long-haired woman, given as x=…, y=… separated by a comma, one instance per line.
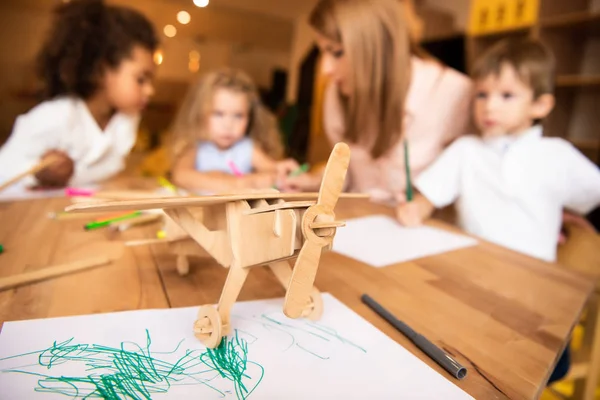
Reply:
x=437, y=108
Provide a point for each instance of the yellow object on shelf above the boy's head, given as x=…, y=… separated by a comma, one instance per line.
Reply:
x=489, y=16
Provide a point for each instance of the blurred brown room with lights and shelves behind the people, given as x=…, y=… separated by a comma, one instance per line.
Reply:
x=272, y=41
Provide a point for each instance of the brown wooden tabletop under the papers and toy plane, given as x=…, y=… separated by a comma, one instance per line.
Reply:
x=505, y=316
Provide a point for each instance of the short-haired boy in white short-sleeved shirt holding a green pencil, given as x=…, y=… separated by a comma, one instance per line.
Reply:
x=510, y=184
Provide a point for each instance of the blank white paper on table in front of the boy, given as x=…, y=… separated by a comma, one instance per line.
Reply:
x=380, y=241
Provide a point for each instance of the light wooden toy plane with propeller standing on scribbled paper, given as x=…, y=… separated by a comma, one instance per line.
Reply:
x=245, y=230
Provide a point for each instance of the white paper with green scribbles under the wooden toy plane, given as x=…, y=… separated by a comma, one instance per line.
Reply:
x=153, y=354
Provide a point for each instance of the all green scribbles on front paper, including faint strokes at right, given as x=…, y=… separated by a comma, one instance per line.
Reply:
x=132, y=371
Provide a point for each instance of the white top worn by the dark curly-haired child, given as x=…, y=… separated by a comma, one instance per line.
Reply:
x=66, y=124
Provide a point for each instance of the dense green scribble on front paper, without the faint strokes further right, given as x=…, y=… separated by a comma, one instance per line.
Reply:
x=133, y=372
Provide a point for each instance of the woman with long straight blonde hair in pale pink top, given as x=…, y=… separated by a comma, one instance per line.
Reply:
x=383, y=90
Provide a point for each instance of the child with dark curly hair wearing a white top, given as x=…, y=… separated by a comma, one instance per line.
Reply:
x=97, y=68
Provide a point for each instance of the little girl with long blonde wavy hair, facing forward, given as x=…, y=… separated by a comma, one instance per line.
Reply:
x=224, y=138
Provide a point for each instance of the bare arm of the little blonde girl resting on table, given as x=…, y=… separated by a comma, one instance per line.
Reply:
x=186, y=176
